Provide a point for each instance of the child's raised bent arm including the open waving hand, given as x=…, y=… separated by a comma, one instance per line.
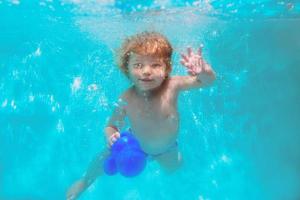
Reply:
x=200, y=73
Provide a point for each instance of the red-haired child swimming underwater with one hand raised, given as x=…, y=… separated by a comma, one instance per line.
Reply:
x=150, y=104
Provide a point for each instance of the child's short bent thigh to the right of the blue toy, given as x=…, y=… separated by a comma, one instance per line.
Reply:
x=171, y=160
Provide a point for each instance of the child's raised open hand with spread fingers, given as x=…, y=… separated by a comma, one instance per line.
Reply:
x=195, y=63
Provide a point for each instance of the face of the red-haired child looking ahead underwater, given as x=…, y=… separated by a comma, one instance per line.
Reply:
x=146, y=72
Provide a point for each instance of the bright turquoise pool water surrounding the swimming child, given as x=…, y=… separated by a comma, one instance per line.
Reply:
x=59, y=82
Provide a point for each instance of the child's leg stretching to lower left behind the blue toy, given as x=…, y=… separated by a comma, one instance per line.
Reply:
x=95, y=169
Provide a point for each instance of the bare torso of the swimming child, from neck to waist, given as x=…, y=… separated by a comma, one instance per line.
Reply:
x=154, y=120
